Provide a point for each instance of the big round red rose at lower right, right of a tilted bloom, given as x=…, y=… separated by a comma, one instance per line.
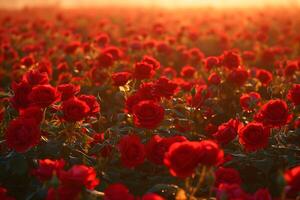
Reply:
x=254, y=136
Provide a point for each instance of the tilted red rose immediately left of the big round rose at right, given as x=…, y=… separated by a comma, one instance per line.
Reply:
x=227, y=131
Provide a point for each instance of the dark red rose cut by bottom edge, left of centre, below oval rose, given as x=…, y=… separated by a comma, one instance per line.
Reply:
x=117, y=191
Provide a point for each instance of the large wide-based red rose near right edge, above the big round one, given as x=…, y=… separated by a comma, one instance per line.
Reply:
x=274, y=113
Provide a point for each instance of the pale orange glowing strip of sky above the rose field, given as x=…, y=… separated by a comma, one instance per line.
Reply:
x=155, y=3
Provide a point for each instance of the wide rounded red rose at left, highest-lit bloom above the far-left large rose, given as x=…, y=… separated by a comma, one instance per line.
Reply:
x=43, y=95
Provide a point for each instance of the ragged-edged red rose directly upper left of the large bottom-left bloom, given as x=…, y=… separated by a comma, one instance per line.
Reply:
x=47, y=168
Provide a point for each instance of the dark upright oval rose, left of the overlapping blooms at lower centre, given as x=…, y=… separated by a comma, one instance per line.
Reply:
x=132, y=151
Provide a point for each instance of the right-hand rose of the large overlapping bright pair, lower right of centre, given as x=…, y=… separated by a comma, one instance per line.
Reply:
x=209, y=153
